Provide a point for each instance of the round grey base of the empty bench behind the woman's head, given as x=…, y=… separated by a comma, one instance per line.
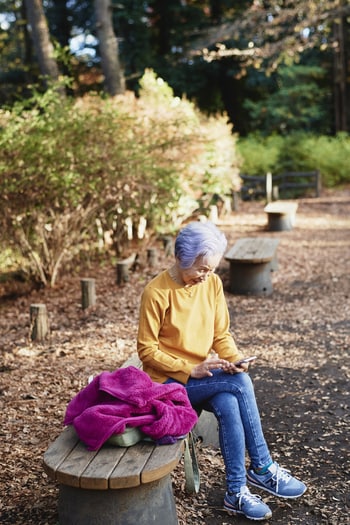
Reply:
x=250, y=278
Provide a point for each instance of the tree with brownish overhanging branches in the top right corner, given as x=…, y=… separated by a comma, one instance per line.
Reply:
x=270, y=33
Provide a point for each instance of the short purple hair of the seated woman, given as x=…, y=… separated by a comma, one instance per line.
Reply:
x=198, y=239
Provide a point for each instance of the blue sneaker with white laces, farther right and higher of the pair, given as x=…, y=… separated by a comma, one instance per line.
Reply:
x=277, y=481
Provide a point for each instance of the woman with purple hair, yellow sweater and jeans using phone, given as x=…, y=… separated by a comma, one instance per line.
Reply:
x=184, y=337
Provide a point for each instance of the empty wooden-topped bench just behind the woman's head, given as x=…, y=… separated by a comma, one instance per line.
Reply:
x=251, y=261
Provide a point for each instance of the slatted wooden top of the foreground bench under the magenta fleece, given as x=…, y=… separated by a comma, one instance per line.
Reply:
x=68, y=461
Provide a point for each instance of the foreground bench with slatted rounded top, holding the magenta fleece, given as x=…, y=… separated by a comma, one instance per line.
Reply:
x=117, y=485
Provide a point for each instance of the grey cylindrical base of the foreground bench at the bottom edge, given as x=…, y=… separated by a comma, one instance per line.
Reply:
x=151, y=503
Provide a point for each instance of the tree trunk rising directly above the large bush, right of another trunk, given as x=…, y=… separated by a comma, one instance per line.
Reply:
x=114, y=78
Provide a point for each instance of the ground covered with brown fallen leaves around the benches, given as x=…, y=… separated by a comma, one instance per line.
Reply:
x=301, y=335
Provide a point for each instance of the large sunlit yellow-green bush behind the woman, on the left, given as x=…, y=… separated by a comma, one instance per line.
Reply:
x=66, y=166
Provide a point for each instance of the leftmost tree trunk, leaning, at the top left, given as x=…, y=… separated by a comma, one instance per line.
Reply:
x=41, y=40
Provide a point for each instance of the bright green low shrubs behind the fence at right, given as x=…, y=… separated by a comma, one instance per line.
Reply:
x=298, y=152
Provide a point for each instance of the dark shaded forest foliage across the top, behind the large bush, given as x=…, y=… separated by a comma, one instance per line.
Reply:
x=271, y=66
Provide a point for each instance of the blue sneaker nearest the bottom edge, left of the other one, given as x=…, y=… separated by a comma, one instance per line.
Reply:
x=249, y=505
